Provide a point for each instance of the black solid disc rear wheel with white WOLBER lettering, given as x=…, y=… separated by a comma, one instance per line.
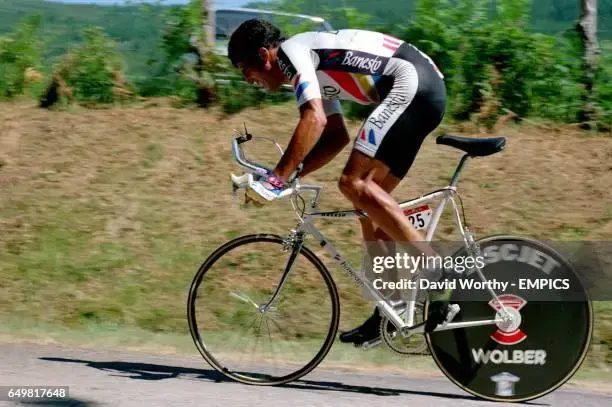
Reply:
x=547, y=340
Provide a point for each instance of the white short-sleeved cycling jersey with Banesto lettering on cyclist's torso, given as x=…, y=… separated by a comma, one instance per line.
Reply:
x=346, y=64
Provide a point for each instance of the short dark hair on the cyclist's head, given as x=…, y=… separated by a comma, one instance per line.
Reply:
x=251, y=35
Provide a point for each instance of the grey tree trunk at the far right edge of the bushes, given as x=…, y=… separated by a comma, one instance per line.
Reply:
x=587, y=28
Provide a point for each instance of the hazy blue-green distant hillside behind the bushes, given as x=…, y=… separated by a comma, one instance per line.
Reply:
x=137, y=31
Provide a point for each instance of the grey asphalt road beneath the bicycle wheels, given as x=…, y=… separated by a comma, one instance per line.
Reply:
x=113, y=378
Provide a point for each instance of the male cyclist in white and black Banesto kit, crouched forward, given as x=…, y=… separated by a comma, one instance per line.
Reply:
x=361, y=66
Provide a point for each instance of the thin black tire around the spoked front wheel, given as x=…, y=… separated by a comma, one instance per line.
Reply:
x=200, y=344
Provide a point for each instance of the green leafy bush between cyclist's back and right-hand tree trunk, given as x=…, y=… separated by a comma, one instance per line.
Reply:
x=496, y=64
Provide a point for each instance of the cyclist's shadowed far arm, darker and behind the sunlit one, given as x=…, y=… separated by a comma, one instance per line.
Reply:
x=334, y=138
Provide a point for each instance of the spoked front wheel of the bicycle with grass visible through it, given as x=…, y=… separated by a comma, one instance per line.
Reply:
x=248, y=342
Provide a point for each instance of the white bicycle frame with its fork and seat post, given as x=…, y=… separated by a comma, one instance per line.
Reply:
x=306, y=225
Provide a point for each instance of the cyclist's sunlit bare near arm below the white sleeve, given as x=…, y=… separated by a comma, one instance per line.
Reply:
x=307, y=133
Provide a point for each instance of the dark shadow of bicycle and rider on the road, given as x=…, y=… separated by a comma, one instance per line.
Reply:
x=146, y=371
